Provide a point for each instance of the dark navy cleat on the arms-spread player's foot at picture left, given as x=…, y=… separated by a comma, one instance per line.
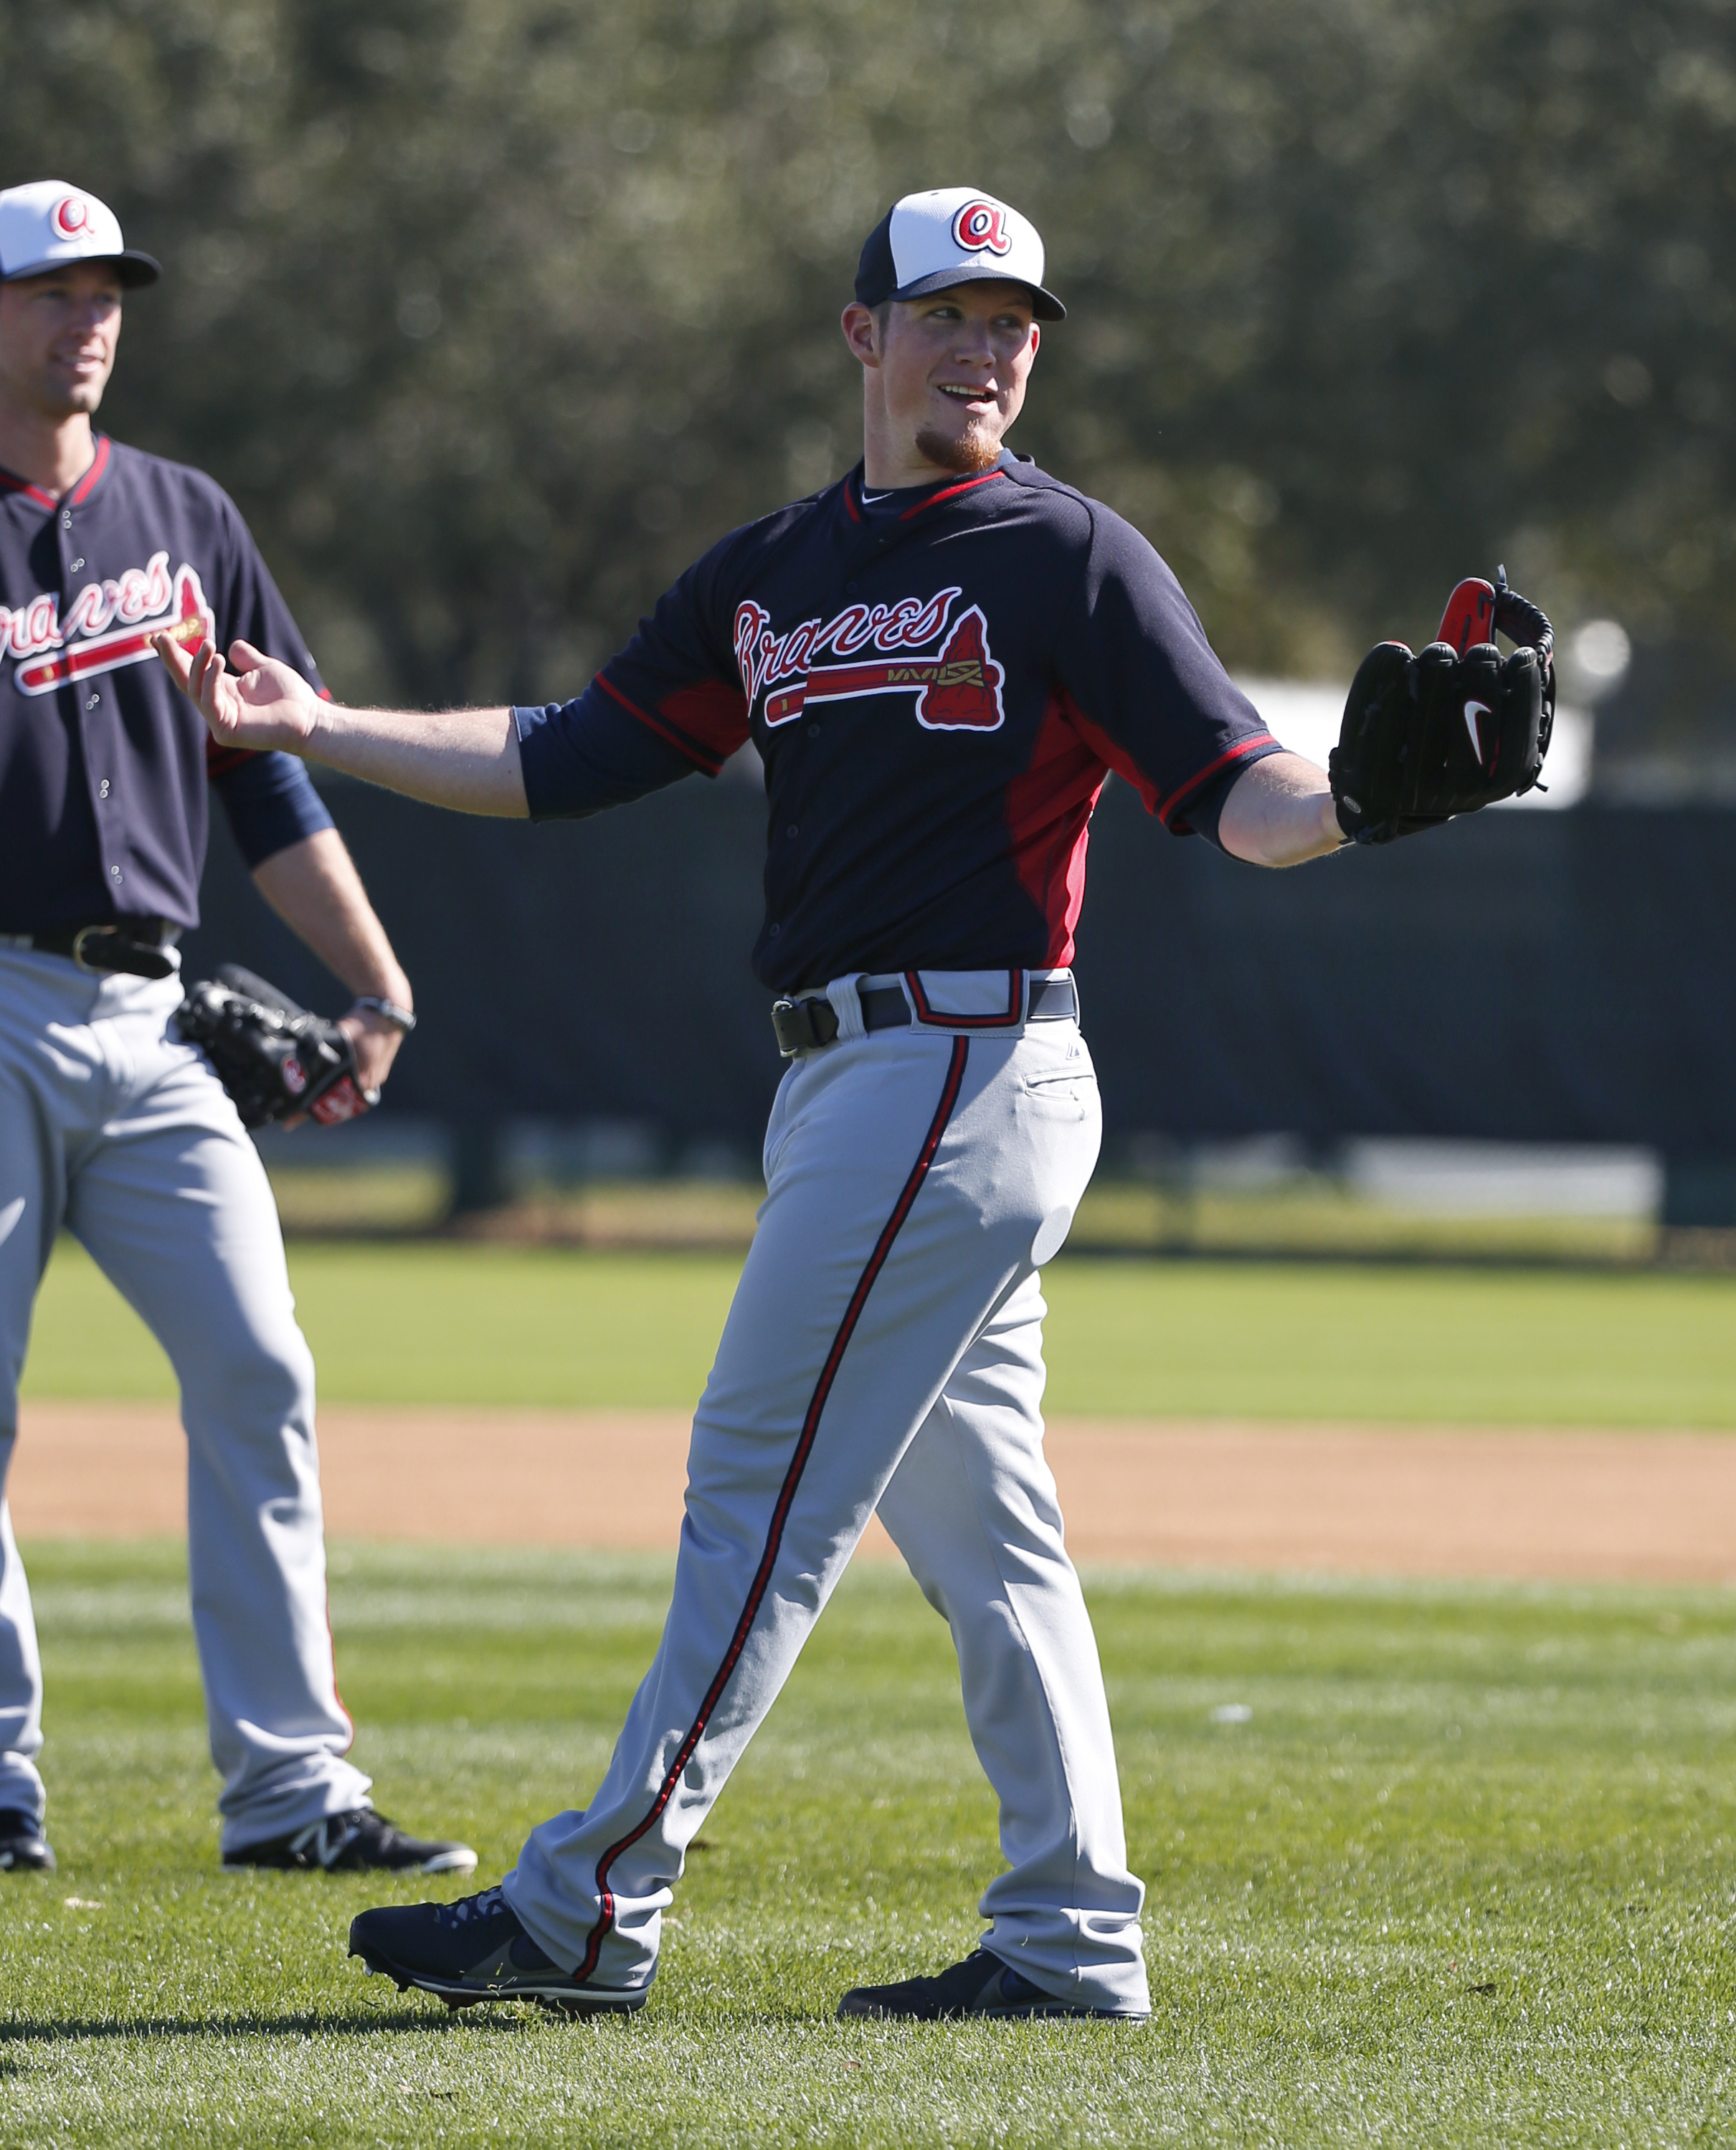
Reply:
x=474, y=1951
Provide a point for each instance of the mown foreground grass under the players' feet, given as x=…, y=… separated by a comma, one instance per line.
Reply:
x=1462, y=1876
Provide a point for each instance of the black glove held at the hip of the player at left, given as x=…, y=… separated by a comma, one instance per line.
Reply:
x=270, y=1055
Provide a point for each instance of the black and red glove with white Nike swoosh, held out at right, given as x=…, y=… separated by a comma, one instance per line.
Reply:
x=1453, y=728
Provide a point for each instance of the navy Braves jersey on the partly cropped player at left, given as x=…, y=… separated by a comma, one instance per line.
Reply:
x=104, y=764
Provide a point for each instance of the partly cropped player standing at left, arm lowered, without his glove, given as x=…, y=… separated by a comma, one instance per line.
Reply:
x=108, y=1123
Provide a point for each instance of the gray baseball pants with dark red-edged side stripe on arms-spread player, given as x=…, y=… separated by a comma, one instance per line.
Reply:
x=884, y=1351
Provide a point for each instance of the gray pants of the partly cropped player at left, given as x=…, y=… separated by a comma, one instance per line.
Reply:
x=126, y=1138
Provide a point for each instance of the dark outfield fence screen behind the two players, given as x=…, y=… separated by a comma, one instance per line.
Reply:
x=1531, y=977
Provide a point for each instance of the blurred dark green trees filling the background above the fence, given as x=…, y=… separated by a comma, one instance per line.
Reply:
x=493, y=313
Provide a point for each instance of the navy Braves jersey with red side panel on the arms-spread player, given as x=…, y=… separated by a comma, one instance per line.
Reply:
x=940, y=685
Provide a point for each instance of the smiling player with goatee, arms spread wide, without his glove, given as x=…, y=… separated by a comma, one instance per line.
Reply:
x=940, y=661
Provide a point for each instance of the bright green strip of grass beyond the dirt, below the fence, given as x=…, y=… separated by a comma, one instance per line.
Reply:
x=510, y=1325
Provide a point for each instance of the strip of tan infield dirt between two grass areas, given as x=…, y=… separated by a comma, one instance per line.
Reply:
x=1355, y=1500
